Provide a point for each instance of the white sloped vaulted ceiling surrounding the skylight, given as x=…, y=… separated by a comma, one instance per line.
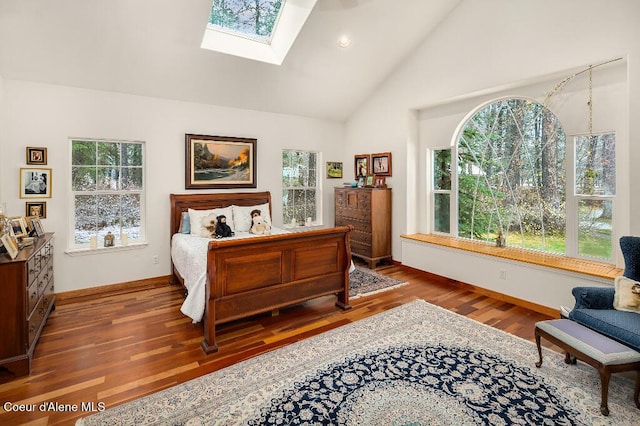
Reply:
x=152, y=48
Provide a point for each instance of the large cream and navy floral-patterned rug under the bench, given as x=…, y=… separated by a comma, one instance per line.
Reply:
x=416, y=364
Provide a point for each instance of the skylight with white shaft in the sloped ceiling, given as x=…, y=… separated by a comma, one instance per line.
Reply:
x=262, y=30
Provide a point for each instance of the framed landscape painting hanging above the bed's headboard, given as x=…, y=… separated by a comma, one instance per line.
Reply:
x=219, y=162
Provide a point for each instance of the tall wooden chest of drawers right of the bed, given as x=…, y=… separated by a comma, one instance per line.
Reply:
x=368, y=210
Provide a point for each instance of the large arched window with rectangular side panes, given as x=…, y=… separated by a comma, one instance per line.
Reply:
x=511, y=177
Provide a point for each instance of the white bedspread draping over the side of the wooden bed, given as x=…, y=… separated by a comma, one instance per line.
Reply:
x=189, y=256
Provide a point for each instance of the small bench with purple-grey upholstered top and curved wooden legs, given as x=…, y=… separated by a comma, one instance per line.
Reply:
x=595, y=349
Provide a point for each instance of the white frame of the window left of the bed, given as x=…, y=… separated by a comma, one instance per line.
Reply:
x=85, y=248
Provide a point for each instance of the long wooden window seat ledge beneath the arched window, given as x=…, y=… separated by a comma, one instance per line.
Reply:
x=565, y=263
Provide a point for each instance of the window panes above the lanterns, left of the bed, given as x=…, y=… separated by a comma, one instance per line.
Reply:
x=107, y=186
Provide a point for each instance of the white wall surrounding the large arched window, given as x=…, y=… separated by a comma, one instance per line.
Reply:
x=487, y=46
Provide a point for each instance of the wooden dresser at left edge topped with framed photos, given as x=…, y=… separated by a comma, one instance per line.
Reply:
x=26, y=300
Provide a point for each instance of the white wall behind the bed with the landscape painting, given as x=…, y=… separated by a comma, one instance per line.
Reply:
x=47, y=116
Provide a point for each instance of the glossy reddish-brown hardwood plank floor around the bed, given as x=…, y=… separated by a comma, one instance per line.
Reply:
x=120, y=347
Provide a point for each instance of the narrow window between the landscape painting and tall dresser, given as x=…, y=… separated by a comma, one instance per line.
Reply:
x=300, y=188
